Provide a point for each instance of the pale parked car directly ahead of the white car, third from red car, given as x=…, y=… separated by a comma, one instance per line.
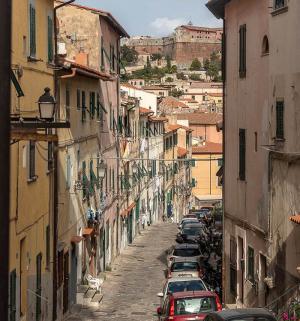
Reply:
x=185, y=267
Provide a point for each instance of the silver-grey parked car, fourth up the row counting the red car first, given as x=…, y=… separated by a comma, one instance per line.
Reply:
x=184, y=250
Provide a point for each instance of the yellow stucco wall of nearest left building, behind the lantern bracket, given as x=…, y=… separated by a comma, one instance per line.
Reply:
x=31, y=206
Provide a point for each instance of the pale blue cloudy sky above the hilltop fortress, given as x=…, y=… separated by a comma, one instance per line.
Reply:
x=155, y=17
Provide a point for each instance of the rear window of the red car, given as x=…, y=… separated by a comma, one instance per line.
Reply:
x=195, y=305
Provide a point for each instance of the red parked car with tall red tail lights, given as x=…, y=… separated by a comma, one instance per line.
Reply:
x=188, y=306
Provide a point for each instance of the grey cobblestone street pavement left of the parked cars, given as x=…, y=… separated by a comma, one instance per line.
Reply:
x=130, y=290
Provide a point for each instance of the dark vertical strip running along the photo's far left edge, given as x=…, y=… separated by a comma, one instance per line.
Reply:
x=5, y=61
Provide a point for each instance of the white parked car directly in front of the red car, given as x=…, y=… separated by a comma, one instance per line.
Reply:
x=182, y=284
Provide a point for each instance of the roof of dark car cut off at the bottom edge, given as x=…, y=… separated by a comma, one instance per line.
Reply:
x=254, y=314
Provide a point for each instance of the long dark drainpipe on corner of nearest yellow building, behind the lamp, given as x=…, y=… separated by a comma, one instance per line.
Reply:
x=55, y=171
